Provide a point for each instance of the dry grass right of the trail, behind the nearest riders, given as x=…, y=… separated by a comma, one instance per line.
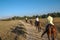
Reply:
x=56, y=22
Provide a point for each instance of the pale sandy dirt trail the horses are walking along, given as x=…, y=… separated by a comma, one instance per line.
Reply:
x=32, y=32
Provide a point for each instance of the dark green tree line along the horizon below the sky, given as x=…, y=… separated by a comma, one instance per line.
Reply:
x=55, y=14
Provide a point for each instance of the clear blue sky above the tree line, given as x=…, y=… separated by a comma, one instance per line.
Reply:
x=9, y=8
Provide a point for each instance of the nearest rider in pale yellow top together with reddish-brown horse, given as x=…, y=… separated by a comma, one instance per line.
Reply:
x=50, y=29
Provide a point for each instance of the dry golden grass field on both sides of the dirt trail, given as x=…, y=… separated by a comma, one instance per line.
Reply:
x=6, y=25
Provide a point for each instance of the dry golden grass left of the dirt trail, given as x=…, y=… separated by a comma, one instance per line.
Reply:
x=5, y=29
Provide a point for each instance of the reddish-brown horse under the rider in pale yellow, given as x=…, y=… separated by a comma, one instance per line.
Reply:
x=51, y=32
